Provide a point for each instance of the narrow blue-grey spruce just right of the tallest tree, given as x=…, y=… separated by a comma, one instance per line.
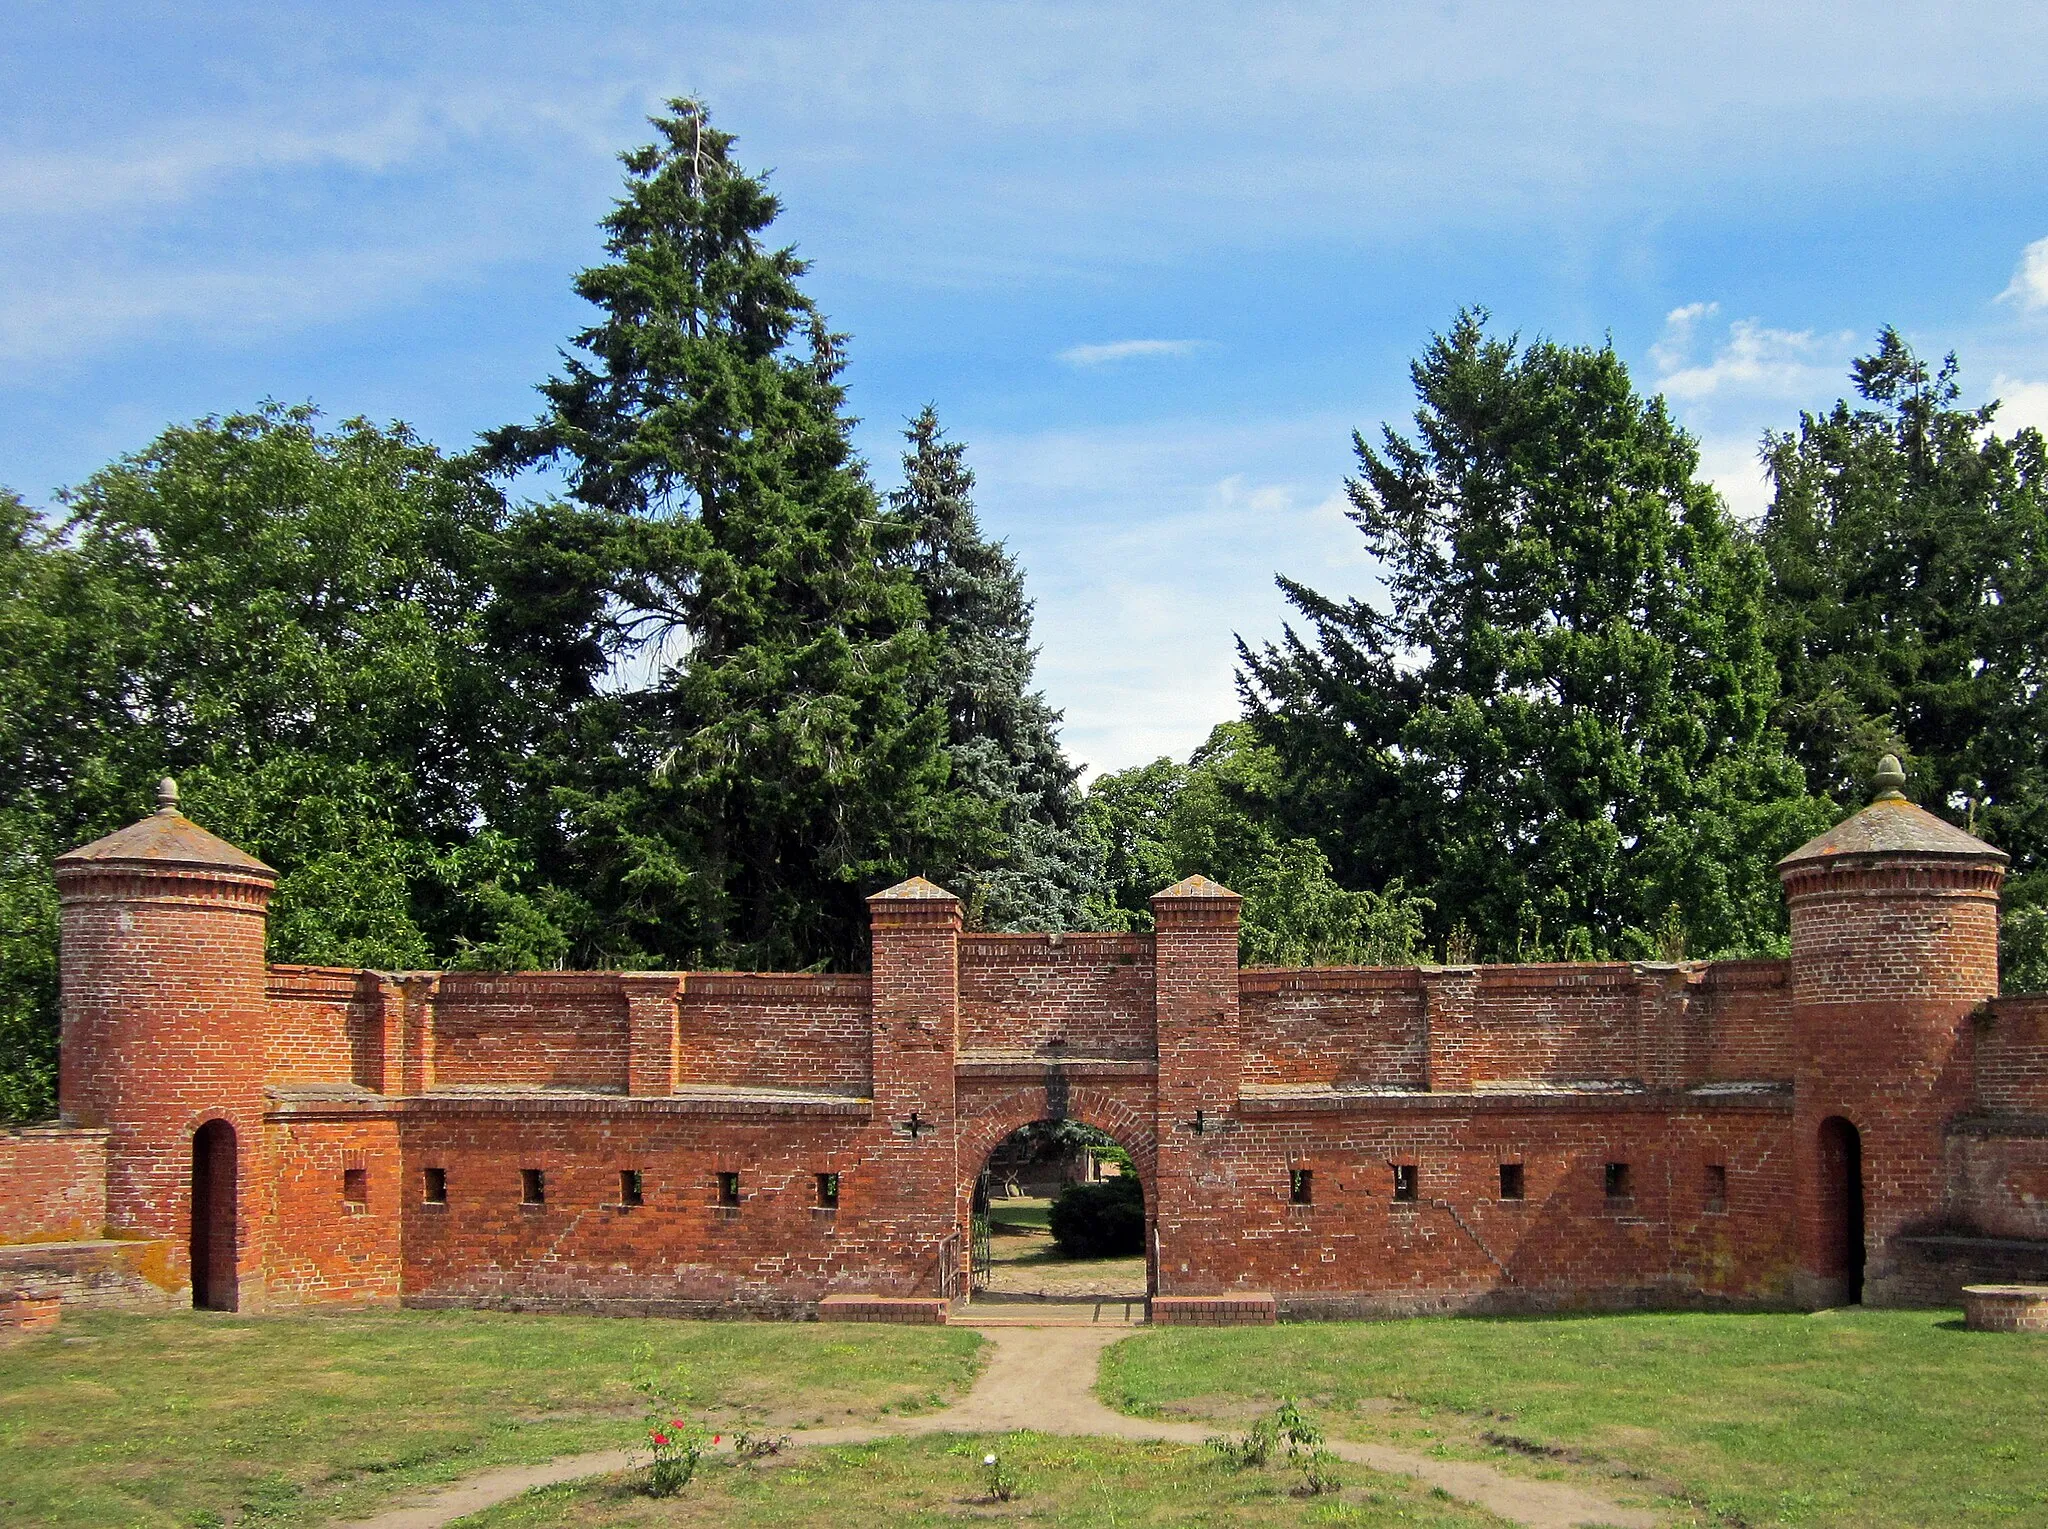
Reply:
x=1021, y=857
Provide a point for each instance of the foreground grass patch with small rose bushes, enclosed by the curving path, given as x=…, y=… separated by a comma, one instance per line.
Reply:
x=1070, y=1483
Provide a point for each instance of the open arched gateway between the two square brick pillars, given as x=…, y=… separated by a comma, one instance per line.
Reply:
x=1060, y=1217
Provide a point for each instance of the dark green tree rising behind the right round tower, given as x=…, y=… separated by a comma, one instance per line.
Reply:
x=1910, y=603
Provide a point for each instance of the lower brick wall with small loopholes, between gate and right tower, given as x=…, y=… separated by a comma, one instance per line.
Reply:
x=1355, y=1252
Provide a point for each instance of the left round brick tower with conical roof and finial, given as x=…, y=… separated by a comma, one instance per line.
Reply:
x=165, y=1037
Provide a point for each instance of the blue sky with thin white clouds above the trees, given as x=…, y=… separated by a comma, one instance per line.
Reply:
x=1152, y=263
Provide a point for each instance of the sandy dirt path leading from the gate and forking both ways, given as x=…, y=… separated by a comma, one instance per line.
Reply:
x=1043, y=1379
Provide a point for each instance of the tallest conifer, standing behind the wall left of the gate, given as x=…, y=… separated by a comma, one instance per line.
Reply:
x=781, y=762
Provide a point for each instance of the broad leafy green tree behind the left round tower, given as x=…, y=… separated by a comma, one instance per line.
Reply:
x=294, y=623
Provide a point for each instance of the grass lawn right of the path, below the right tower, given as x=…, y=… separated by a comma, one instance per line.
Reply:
x=1848, y=1417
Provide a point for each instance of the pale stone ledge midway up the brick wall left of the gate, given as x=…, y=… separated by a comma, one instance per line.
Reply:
x=689, y=1100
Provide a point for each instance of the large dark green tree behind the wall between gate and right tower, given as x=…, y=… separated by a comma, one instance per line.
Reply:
x=1558, y=728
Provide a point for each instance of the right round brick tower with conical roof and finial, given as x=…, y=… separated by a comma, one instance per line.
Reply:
x=1895, y=943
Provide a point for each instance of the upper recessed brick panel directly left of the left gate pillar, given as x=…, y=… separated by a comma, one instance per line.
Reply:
x=771, y=1031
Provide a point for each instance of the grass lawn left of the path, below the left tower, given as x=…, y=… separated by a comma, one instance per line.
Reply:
x=202, y=1419
